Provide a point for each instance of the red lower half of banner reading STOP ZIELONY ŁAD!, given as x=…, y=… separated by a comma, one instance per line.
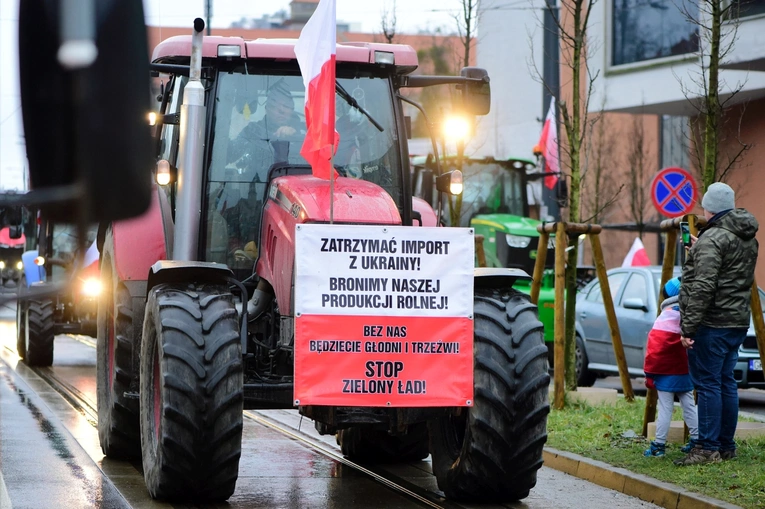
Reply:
x=384, y=361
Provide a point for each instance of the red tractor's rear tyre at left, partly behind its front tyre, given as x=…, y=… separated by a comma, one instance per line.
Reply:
x=118, y=424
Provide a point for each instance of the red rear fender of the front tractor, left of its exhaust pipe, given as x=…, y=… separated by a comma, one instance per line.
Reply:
x=141, y=241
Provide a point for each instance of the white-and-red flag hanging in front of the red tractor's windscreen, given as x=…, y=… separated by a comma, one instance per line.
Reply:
x=315, y=52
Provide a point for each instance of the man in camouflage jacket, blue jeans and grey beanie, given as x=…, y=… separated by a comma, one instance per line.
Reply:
x=714, y=315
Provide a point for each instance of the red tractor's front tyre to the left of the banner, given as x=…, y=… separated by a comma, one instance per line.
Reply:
x=191, y=393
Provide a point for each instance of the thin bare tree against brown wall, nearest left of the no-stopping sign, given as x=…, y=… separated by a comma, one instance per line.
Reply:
x=641, y=168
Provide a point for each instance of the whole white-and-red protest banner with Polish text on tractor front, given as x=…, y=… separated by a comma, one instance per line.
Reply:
x=376, y=321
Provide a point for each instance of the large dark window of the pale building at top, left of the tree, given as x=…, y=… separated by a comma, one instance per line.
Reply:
x=648, y=29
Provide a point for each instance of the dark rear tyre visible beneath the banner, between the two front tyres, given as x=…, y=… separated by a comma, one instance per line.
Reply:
x=369, y=445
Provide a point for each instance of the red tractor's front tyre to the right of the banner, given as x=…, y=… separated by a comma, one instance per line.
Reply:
x=491, y=452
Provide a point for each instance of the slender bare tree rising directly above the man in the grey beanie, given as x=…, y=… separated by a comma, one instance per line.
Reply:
x=717, y=23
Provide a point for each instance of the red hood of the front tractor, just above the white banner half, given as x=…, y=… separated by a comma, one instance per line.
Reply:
x=355, y=201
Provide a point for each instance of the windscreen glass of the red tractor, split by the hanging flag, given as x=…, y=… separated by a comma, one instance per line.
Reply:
x=259, y=121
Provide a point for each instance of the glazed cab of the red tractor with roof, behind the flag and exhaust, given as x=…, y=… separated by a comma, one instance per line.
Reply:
x=256, y=112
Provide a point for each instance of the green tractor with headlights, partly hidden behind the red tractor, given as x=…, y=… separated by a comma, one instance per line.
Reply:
x=495, y=204
